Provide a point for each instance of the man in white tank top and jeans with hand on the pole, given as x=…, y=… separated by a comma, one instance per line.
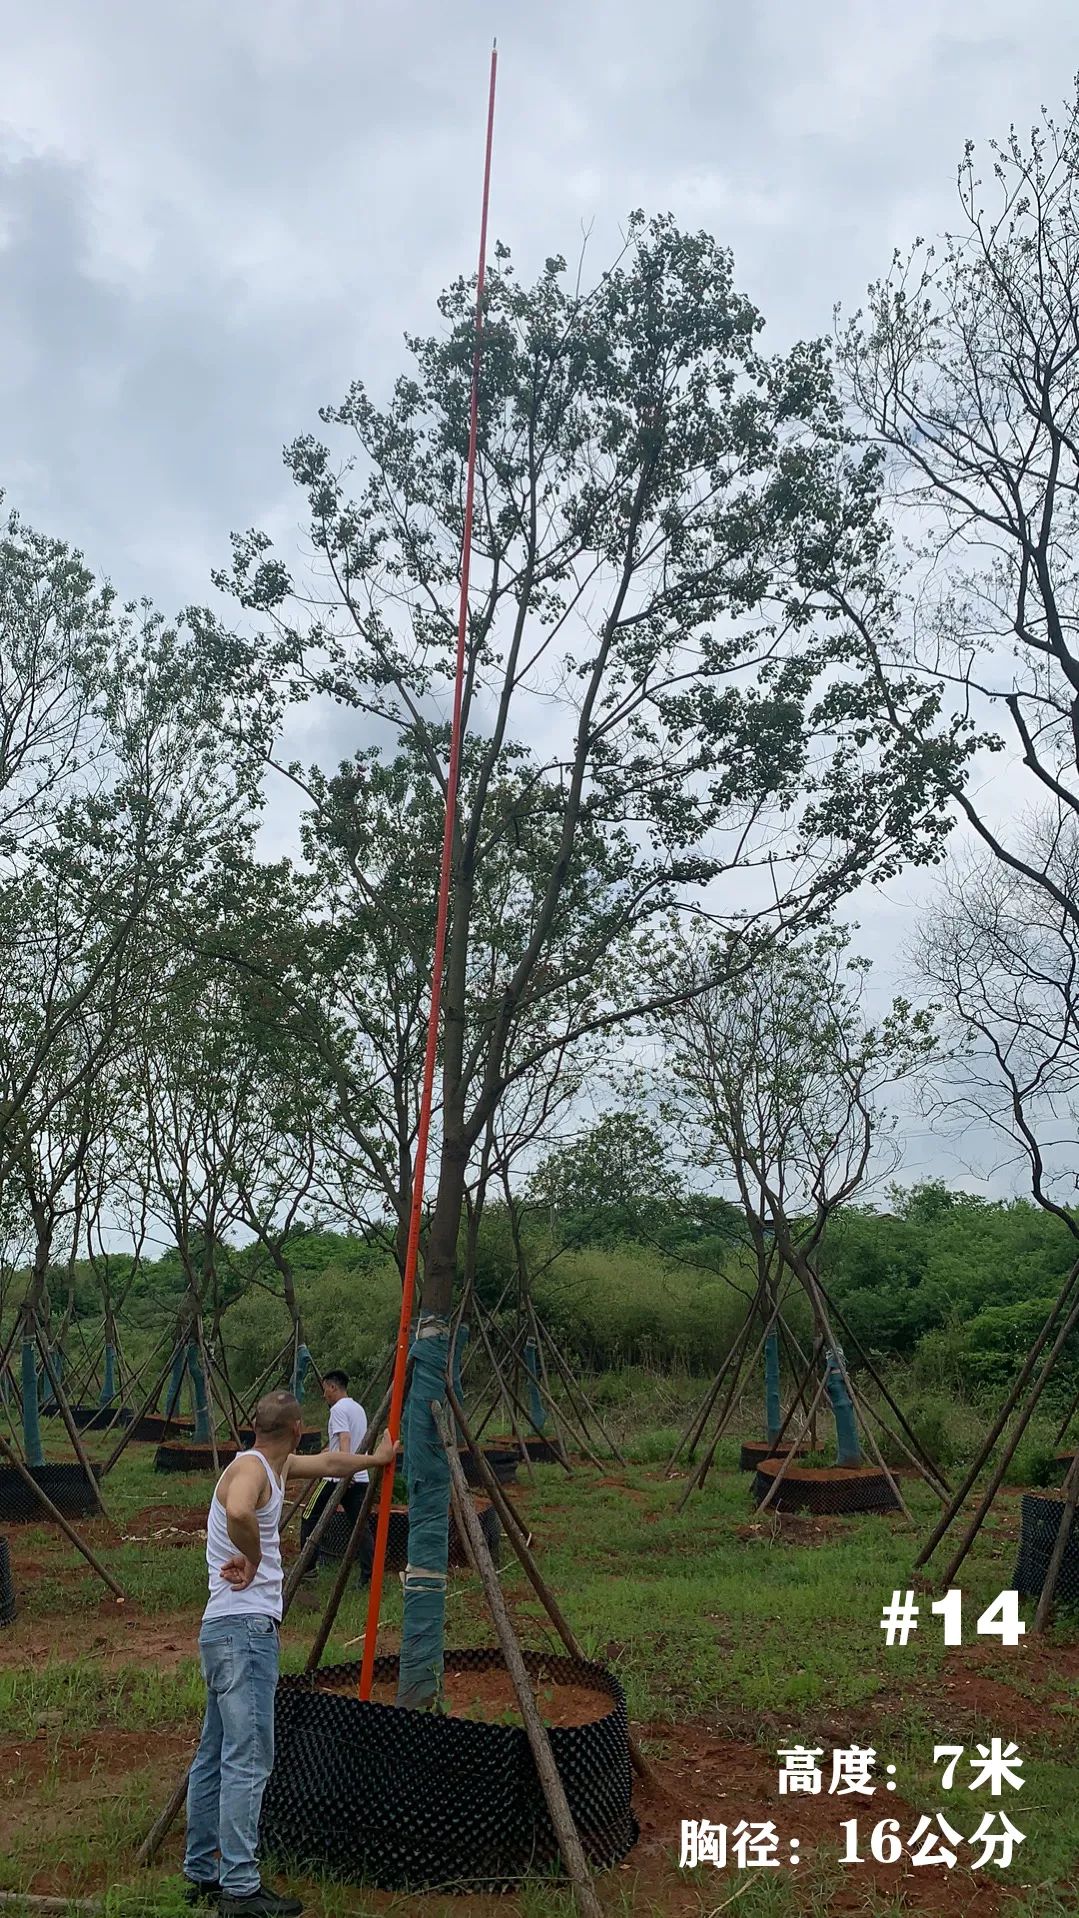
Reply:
x=239, y=1654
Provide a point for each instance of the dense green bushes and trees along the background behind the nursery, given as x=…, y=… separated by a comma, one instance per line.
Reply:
x=938, y=1282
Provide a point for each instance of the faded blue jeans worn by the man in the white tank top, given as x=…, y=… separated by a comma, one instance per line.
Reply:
x=237, y=1752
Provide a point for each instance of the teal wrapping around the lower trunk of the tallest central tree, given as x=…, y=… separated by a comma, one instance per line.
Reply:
x=423, y=1631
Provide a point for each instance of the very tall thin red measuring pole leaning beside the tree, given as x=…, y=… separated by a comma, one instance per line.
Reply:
x=453, y=776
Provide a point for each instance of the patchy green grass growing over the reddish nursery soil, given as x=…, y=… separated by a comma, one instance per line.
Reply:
x=704, y=1614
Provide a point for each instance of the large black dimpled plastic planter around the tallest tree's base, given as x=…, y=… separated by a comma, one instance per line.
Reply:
x=425, y=1802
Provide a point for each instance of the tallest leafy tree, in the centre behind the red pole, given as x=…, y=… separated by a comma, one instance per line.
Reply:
x=664, y=523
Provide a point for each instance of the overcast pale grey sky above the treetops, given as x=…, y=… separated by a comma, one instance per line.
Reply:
x=214, y=218
